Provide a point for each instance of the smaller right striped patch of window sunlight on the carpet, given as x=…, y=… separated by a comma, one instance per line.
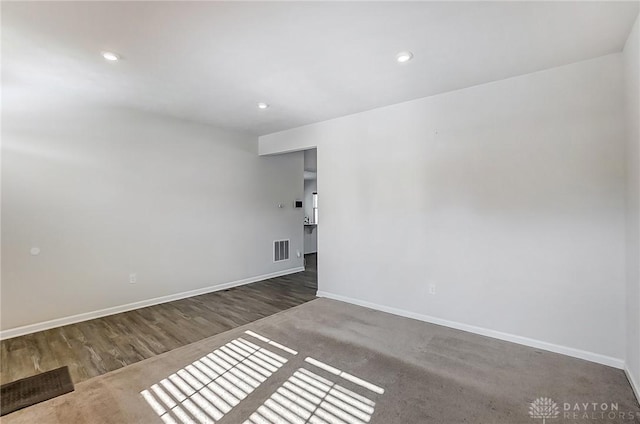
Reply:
x=309, y=398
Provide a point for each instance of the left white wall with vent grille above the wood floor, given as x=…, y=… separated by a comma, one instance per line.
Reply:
x=104, y=192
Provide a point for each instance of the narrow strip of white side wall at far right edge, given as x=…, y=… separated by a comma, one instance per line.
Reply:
x=632, y=72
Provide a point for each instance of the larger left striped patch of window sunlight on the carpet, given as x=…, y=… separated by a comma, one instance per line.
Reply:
x=207, y=389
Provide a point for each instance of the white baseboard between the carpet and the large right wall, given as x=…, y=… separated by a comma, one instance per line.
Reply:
x=538, y=344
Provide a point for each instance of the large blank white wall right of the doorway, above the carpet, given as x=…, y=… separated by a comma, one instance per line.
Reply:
x=509, y=196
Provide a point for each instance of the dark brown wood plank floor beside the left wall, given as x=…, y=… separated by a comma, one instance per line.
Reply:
x=101, y=345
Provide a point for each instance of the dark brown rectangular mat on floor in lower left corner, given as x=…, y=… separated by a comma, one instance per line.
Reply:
x=31, y=390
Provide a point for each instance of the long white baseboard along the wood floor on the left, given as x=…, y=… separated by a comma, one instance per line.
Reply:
x=58, y=322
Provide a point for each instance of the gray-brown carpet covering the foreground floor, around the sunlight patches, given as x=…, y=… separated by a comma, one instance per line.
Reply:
x=383, y=369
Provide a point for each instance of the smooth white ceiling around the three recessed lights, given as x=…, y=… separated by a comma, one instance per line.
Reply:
x=213, y=61
